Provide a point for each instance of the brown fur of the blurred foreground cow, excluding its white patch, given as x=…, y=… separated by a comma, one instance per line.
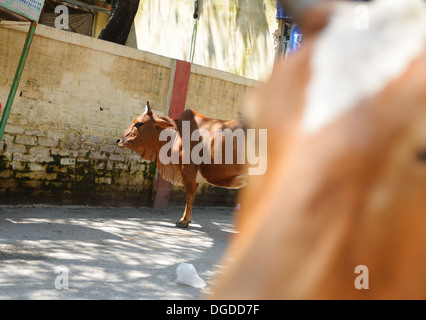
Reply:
x=353, y=194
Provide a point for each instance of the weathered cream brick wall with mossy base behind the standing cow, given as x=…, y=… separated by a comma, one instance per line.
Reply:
x=77, y=95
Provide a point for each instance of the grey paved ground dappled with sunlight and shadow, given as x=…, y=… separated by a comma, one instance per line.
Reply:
x=109, y=253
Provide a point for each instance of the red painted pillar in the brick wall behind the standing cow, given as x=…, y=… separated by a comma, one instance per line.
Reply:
x=177, y=107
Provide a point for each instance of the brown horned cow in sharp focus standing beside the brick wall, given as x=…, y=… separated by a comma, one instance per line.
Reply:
x=144, y=137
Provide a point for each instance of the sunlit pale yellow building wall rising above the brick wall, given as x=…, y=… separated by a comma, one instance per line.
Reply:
x=233, y=35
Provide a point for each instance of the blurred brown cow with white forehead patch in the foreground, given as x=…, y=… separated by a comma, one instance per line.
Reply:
x=341, y=212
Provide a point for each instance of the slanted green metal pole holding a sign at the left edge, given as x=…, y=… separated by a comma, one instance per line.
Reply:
x=17, y=78
